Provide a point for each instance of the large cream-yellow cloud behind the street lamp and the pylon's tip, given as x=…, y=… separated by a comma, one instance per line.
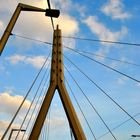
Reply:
x=38, y=25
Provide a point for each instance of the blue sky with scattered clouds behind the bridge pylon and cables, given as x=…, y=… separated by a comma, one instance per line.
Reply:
x=112, y=20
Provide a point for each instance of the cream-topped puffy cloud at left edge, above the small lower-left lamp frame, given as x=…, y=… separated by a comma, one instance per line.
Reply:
x=9, y=104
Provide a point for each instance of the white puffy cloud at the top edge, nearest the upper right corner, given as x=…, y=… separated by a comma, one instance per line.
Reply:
x=115, y=9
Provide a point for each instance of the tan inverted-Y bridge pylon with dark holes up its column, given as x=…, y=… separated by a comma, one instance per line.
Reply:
x=57, y=83
